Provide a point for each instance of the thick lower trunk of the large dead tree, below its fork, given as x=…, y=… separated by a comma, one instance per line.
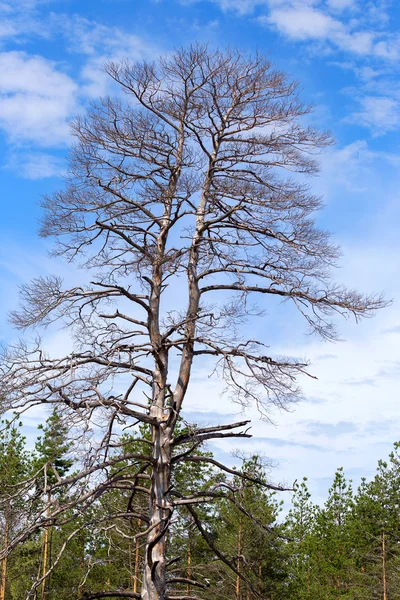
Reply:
x=154, y=576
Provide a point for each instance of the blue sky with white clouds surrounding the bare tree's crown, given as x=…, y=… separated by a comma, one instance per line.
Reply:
x=346, y=56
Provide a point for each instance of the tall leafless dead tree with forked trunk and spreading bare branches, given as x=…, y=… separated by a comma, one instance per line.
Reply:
x=185, y=208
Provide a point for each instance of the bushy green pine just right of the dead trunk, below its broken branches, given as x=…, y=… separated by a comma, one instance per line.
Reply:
x=249, y=537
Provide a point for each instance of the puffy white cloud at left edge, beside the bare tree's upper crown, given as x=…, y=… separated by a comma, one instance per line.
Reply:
x=36, y=99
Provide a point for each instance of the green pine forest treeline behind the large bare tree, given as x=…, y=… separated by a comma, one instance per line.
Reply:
x=241, y=547
